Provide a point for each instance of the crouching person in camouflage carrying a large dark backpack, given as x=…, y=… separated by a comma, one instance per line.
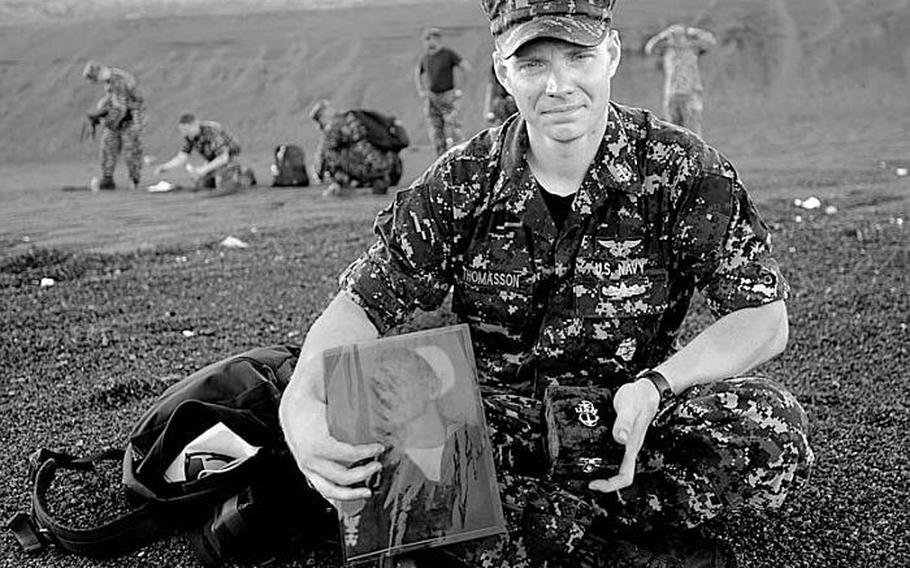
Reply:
x=345, y=158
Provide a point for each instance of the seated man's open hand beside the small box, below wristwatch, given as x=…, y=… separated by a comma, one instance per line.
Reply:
x=636, y=406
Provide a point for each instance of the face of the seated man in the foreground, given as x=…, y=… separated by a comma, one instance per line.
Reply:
x=561, y=89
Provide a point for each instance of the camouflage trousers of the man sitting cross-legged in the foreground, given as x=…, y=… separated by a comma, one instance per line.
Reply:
x=739, y=443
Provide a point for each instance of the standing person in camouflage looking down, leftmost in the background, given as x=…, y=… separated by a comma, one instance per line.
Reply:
x=121, y=114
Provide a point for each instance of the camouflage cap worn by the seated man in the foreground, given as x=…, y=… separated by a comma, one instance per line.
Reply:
x=516, y=22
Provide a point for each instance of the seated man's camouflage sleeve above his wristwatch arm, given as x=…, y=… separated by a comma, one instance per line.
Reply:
x=722, y=242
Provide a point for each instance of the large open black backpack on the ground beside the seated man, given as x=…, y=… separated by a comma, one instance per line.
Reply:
x=259, y=510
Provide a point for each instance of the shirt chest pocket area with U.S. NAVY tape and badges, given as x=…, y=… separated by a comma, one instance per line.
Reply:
x=615, y=279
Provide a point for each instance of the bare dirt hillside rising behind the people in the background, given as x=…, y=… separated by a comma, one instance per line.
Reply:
x=823, y=78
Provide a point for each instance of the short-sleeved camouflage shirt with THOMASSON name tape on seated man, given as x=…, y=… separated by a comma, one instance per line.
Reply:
x=658, y=213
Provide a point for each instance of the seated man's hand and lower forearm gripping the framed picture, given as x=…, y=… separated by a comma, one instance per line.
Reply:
x=324, y=461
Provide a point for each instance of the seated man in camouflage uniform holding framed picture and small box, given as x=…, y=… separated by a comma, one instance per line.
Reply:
x=572, y=239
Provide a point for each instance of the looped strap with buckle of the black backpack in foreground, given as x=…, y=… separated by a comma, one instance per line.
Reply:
x=39, y=529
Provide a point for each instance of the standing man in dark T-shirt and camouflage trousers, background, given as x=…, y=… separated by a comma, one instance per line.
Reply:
x=435, y=78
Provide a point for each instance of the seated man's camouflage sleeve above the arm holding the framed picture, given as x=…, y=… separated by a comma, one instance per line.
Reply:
x=409, y=265
